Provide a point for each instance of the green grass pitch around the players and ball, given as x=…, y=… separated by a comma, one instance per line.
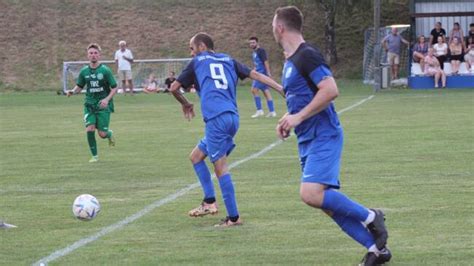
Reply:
x=407, y=152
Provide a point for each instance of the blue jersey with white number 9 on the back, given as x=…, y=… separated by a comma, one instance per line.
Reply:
x=215, y=77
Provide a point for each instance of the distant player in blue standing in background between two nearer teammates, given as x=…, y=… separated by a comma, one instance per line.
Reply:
x=260, y=60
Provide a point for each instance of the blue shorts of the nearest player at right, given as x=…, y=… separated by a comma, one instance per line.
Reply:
x=320, y=160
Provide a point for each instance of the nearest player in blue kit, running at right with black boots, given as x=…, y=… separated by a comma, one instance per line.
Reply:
x=310, y=90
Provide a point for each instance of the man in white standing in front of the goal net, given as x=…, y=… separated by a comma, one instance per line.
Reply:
x=124, y=60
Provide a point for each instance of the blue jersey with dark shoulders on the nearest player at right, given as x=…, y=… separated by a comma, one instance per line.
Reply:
x=301, y=74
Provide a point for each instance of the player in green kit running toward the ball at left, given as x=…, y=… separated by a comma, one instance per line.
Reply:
x=98, y=104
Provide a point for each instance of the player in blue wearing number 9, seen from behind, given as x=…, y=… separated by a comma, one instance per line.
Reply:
x=215, y=76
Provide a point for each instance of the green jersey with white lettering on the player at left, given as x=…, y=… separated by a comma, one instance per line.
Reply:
x=98, y=81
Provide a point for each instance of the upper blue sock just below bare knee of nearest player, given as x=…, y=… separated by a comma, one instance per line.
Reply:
x=340, y=204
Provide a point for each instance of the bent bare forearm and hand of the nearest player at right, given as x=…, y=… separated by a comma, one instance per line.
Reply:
x=327, y=92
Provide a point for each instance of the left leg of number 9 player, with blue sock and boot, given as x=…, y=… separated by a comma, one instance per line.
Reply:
x=208, y=205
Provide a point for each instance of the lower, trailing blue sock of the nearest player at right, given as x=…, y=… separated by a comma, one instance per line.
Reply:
x=354, y=229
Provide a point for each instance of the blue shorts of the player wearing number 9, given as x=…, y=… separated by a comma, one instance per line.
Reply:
x=219, y=137
